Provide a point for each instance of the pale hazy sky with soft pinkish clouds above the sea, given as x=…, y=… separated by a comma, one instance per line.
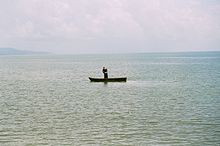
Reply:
x=110, y=26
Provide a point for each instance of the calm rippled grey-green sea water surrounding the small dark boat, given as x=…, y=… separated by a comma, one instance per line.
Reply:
x=169, y=99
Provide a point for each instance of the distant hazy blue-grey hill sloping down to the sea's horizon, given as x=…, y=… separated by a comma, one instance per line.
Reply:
x=12, y=51
